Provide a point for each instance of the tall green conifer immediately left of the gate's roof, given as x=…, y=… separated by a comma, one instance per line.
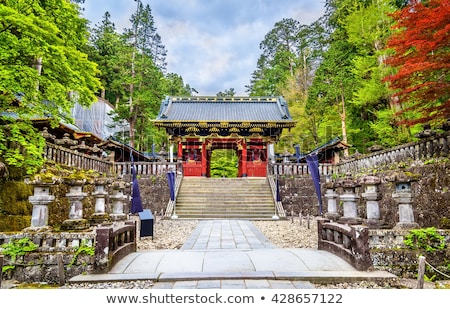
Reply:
x=140, y=60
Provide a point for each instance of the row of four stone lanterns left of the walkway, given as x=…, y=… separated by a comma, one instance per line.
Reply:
x=42, y=197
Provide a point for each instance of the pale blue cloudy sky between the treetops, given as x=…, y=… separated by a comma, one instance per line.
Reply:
x=212, y=44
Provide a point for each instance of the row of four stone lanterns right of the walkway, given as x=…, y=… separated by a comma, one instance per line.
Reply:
x=372, y=196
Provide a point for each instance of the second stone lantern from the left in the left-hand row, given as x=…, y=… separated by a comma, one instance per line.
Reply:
x=75, y=196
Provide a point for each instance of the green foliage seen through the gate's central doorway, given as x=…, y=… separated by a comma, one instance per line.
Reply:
x=224, y=163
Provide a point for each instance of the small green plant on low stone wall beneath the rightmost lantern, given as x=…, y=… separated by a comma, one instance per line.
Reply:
x=427, y=239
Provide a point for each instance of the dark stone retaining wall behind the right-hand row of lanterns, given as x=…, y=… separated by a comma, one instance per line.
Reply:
x=430, y=188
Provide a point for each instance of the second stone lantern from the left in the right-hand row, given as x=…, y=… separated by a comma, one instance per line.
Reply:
x=349, y=200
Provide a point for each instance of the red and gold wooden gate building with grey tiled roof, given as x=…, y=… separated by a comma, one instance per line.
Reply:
x=199, y=125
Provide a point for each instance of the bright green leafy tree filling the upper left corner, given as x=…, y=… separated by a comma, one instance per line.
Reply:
x=42, y=73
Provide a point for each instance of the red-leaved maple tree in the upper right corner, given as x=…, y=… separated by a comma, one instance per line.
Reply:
x=421, y=62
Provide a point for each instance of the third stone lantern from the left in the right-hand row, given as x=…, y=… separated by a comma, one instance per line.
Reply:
x=372, y=195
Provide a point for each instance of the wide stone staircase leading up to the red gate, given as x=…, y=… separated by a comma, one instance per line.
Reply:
x=225, y=198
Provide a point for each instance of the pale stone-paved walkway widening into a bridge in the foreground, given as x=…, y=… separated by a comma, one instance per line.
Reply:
x=233, y=253
